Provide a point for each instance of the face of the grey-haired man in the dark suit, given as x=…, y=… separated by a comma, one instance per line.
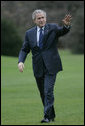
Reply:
x=40, y=20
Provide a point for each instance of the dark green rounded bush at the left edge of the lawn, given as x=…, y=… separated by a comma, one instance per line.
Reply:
x=10, y=40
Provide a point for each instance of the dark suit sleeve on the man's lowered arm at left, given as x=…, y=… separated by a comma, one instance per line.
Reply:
x=24, y=50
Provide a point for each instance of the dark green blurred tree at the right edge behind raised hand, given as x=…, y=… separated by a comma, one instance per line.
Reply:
x=76, y=42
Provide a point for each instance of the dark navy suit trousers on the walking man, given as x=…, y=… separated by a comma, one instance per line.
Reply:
x=45, y=85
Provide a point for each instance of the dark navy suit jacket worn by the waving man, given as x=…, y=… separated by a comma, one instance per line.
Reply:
x=49, y=54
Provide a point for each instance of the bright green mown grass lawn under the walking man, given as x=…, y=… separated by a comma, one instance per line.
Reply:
x=20, y=100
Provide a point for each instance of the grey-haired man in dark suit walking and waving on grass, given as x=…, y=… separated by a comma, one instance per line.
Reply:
x=42, y=41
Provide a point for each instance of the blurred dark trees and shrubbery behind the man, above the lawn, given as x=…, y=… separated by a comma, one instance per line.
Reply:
x=16, y=19
